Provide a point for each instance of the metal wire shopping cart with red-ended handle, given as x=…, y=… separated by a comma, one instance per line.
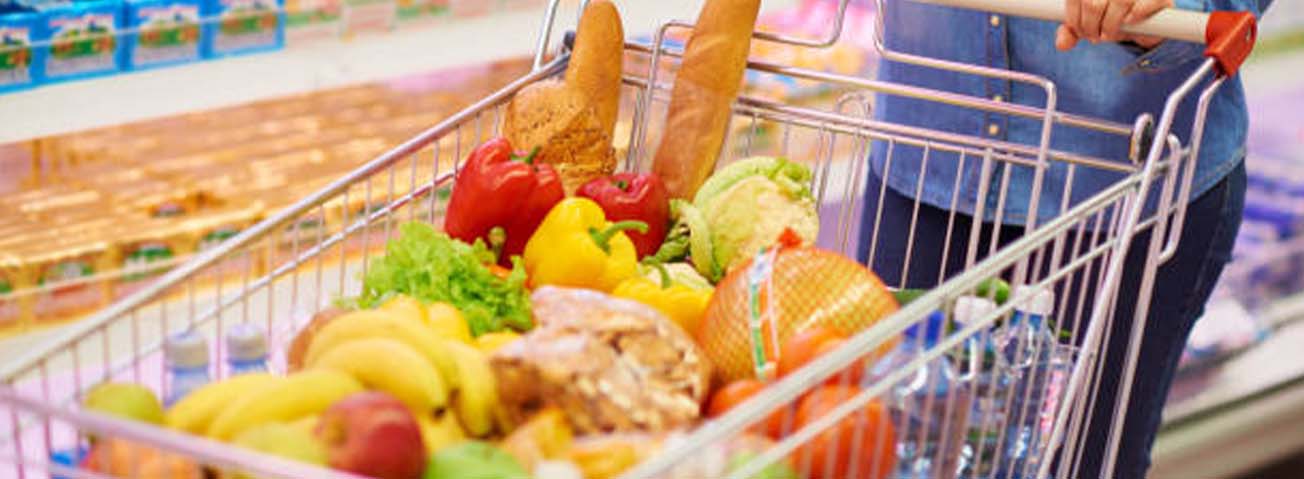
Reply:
x=312, y=255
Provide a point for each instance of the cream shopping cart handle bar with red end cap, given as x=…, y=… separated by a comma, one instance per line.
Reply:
x=1229, y=37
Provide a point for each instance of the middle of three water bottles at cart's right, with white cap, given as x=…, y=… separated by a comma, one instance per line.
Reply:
x=989, y=384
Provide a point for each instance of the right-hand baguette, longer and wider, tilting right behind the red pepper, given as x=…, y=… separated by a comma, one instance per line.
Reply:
x=704, y=95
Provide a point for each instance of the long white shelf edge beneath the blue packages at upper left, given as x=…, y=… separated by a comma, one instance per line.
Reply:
x=109, y=101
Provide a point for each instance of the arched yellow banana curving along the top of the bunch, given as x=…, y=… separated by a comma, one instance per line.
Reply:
x=384, y=324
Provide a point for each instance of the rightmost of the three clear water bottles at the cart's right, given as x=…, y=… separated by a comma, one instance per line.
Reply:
x=1031, y=349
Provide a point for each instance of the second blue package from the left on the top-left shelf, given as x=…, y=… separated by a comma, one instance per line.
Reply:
x=84, y=39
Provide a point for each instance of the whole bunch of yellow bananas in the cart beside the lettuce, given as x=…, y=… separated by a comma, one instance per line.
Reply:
x=423, y=356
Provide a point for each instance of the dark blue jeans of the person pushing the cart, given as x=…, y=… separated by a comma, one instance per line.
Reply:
x=1181, y=290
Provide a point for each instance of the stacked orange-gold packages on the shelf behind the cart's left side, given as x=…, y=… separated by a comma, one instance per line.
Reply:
x=121, y=206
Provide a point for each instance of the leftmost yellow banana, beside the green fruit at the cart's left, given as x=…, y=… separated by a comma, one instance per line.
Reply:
x=196, y=412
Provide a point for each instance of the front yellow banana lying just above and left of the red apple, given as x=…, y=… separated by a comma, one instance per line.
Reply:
x=297, y=396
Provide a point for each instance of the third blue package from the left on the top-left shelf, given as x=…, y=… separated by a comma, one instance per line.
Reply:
x=169, y=33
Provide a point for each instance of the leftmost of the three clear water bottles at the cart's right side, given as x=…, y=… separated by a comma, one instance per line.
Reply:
x=930, y=407
